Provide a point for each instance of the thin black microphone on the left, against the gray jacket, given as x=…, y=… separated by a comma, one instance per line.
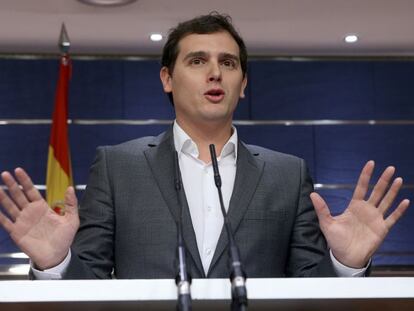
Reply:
x=183, y=279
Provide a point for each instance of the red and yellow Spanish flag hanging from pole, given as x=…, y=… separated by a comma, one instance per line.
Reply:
x=59, y=170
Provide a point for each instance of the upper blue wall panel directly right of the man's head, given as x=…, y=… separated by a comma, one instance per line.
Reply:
x=311, y=90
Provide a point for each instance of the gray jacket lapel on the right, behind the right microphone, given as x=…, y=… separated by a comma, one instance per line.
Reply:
x=249, y=171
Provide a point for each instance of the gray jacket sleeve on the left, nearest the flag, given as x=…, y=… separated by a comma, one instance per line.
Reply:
x=92, y=250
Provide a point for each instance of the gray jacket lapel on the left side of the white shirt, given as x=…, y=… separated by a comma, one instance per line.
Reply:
x=161, y=161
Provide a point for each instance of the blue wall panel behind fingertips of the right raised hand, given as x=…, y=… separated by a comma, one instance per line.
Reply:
x=342, y=151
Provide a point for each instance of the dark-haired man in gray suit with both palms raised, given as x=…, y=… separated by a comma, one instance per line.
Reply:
x=129, y=212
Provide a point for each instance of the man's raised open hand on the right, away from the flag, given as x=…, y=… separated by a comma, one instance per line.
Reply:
x=356, y=234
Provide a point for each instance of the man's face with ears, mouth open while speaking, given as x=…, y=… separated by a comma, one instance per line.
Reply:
x=207, y=80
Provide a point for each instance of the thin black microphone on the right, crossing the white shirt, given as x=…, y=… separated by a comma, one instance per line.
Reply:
x=237, y=275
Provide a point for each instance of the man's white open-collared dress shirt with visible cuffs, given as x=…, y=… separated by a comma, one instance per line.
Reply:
x=203, y=201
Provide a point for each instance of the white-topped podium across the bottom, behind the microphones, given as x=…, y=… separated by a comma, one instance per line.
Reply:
x=305, y=294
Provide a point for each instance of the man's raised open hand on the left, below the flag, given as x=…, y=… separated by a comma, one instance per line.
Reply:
x=36, y=229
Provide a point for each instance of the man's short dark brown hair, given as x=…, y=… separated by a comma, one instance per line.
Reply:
x=204, y=24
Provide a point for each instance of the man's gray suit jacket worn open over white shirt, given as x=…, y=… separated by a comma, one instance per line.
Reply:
x=129, y=210
